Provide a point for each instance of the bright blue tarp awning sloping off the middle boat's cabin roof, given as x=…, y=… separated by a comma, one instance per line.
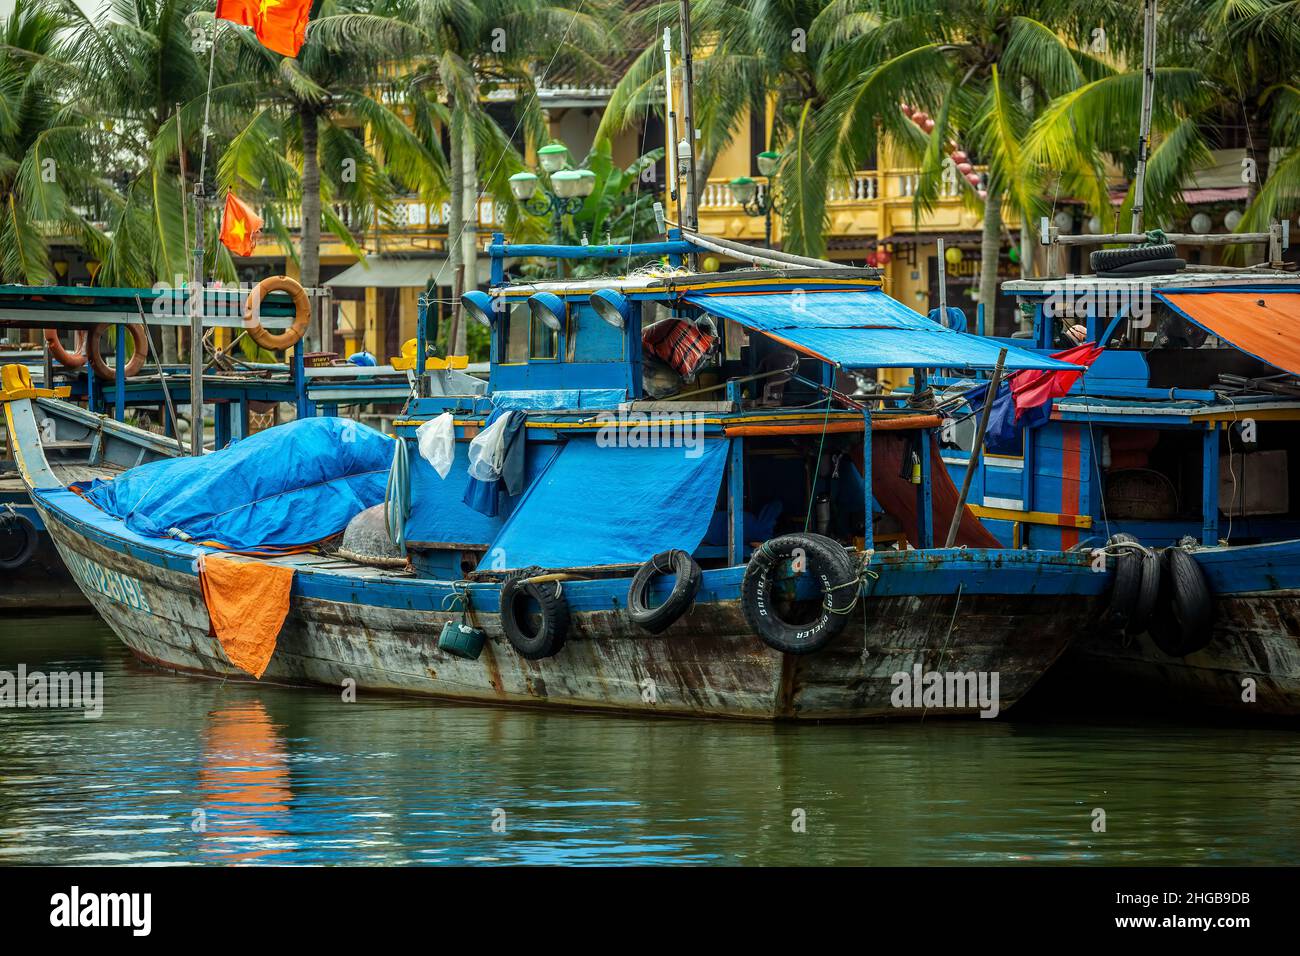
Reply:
x=864, y=330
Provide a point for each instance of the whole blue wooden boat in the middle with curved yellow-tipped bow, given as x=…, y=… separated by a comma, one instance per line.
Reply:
x=736, y=539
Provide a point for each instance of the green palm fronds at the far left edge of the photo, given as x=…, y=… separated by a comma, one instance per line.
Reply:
x=49, y=174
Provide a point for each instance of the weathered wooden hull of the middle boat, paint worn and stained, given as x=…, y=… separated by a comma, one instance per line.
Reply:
x=708, y=665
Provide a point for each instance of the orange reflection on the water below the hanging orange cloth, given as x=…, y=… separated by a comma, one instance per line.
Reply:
x=244, y=782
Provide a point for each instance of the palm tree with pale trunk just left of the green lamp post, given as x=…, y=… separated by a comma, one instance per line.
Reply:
x=478, y=47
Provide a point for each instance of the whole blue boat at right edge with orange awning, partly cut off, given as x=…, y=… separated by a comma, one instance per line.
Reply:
x=1181, y=438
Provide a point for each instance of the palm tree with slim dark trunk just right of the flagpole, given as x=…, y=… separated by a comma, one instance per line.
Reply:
x=323, y=109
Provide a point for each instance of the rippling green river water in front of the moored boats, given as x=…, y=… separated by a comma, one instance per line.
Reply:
x=300, y=777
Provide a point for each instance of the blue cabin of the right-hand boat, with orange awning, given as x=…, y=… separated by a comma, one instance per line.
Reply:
x=1186, y=426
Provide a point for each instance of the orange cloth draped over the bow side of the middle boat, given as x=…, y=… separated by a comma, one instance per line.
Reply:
x=248, y=603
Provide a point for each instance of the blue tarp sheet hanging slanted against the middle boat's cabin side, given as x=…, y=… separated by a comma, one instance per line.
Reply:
x=613, y=505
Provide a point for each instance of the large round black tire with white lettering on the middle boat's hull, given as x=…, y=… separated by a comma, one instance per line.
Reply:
x=829, y=564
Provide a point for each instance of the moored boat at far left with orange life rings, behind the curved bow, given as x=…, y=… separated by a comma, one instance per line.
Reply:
x=138, y=384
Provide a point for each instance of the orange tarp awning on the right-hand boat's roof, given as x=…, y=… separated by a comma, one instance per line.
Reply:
x=1262, y=325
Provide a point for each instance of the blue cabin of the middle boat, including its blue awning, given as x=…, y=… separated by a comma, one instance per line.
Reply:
x=704, y=412
